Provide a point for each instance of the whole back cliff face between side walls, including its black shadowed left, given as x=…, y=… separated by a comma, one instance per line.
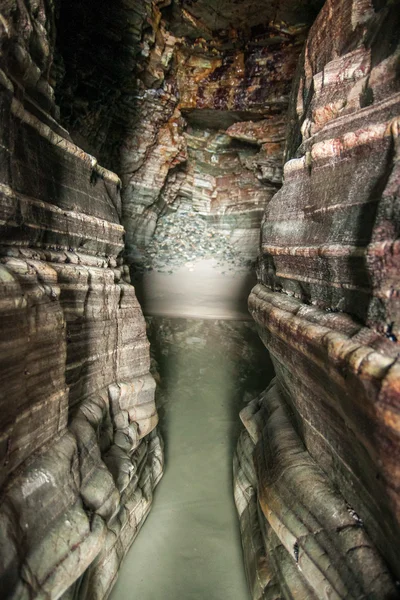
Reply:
x=192, y=113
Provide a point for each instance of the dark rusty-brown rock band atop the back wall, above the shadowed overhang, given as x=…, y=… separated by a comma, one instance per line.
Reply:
x=253, y=78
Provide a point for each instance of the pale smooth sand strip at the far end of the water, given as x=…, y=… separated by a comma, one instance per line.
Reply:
x=202, y=289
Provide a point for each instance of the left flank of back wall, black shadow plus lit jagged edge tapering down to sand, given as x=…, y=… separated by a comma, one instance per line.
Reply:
x=119, y=101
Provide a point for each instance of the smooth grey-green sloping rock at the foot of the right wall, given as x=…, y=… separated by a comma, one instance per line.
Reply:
x=314, y=543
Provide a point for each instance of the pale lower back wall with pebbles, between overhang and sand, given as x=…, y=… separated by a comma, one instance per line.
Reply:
x=217, y=210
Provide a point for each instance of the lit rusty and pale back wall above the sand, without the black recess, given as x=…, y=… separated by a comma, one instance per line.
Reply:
x=222, y=162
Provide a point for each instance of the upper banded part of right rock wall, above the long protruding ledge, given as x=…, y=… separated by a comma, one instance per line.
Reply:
x=330, y=236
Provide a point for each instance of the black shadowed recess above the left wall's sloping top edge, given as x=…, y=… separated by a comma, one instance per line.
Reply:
x=100, y=59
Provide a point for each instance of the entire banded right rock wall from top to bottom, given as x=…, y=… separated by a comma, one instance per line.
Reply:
x=327, y=308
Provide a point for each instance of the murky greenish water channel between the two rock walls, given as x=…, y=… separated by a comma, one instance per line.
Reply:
x=189, y=547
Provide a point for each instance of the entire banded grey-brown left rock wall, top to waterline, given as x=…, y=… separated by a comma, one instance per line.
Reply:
x=80, y=455
